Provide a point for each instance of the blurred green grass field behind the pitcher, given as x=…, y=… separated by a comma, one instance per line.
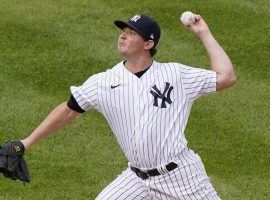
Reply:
x=46, y=46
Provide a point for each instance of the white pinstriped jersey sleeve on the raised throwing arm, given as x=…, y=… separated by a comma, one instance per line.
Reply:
x=198, y=82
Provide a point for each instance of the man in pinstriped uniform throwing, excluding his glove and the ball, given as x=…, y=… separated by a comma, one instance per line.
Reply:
x=147, y=105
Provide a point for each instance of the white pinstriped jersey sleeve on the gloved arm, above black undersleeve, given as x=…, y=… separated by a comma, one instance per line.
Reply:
x=86, y=95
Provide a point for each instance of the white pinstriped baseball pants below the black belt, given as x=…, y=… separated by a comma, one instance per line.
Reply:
x=188, y=182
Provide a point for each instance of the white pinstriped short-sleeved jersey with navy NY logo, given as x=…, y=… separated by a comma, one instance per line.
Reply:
x=148, y=115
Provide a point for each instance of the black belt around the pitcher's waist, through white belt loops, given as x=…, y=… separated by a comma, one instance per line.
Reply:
x=152, y=172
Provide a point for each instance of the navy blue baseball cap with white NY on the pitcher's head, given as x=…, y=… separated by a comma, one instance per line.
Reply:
x=147, y=27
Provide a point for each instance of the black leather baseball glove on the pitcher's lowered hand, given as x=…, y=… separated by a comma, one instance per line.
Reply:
x=12, y=163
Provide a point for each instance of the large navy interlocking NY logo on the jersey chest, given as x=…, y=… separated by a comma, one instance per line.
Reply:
x=165, y=96
